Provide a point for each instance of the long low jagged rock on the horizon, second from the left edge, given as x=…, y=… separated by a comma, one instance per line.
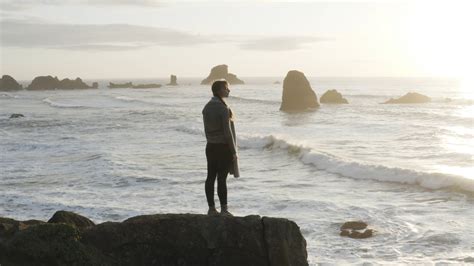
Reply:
x=50, y=83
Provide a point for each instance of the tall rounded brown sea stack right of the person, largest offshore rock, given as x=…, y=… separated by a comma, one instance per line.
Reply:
x=297, y=93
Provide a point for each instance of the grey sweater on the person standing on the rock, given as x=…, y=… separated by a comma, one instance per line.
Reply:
x=217, y=125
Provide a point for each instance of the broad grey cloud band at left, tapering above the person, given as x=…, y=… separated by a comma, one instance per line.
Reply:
x=19, y=33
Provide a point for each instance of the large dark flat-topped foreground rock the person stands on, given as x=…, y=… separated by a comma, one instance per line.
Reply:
x=162, y=239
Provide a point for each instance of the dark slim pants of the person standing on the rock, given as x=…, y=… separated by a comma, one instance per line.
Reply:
x=219, y=159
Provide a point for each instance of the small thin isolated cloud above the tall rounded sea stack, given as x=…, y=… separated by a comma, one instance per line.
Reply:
x=280, y=43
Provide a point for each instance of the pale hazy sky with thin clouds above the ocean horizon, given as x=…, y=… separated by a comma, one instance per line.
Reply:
x=151, y=38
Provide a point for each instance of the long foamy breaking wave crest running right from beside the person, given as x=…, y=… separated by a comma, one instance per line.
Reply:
x=356, y=170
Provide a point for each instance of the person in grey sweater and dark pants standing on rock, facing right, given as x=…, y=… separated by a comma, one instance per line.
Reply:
x=221, y=148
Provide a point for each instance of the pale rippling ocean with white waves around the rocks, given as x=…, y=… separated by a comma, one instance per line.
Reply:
x=109, y=154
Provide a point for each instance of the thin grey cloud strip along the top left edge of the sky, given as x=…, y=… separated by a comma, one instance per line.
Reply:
x=14, y=5
